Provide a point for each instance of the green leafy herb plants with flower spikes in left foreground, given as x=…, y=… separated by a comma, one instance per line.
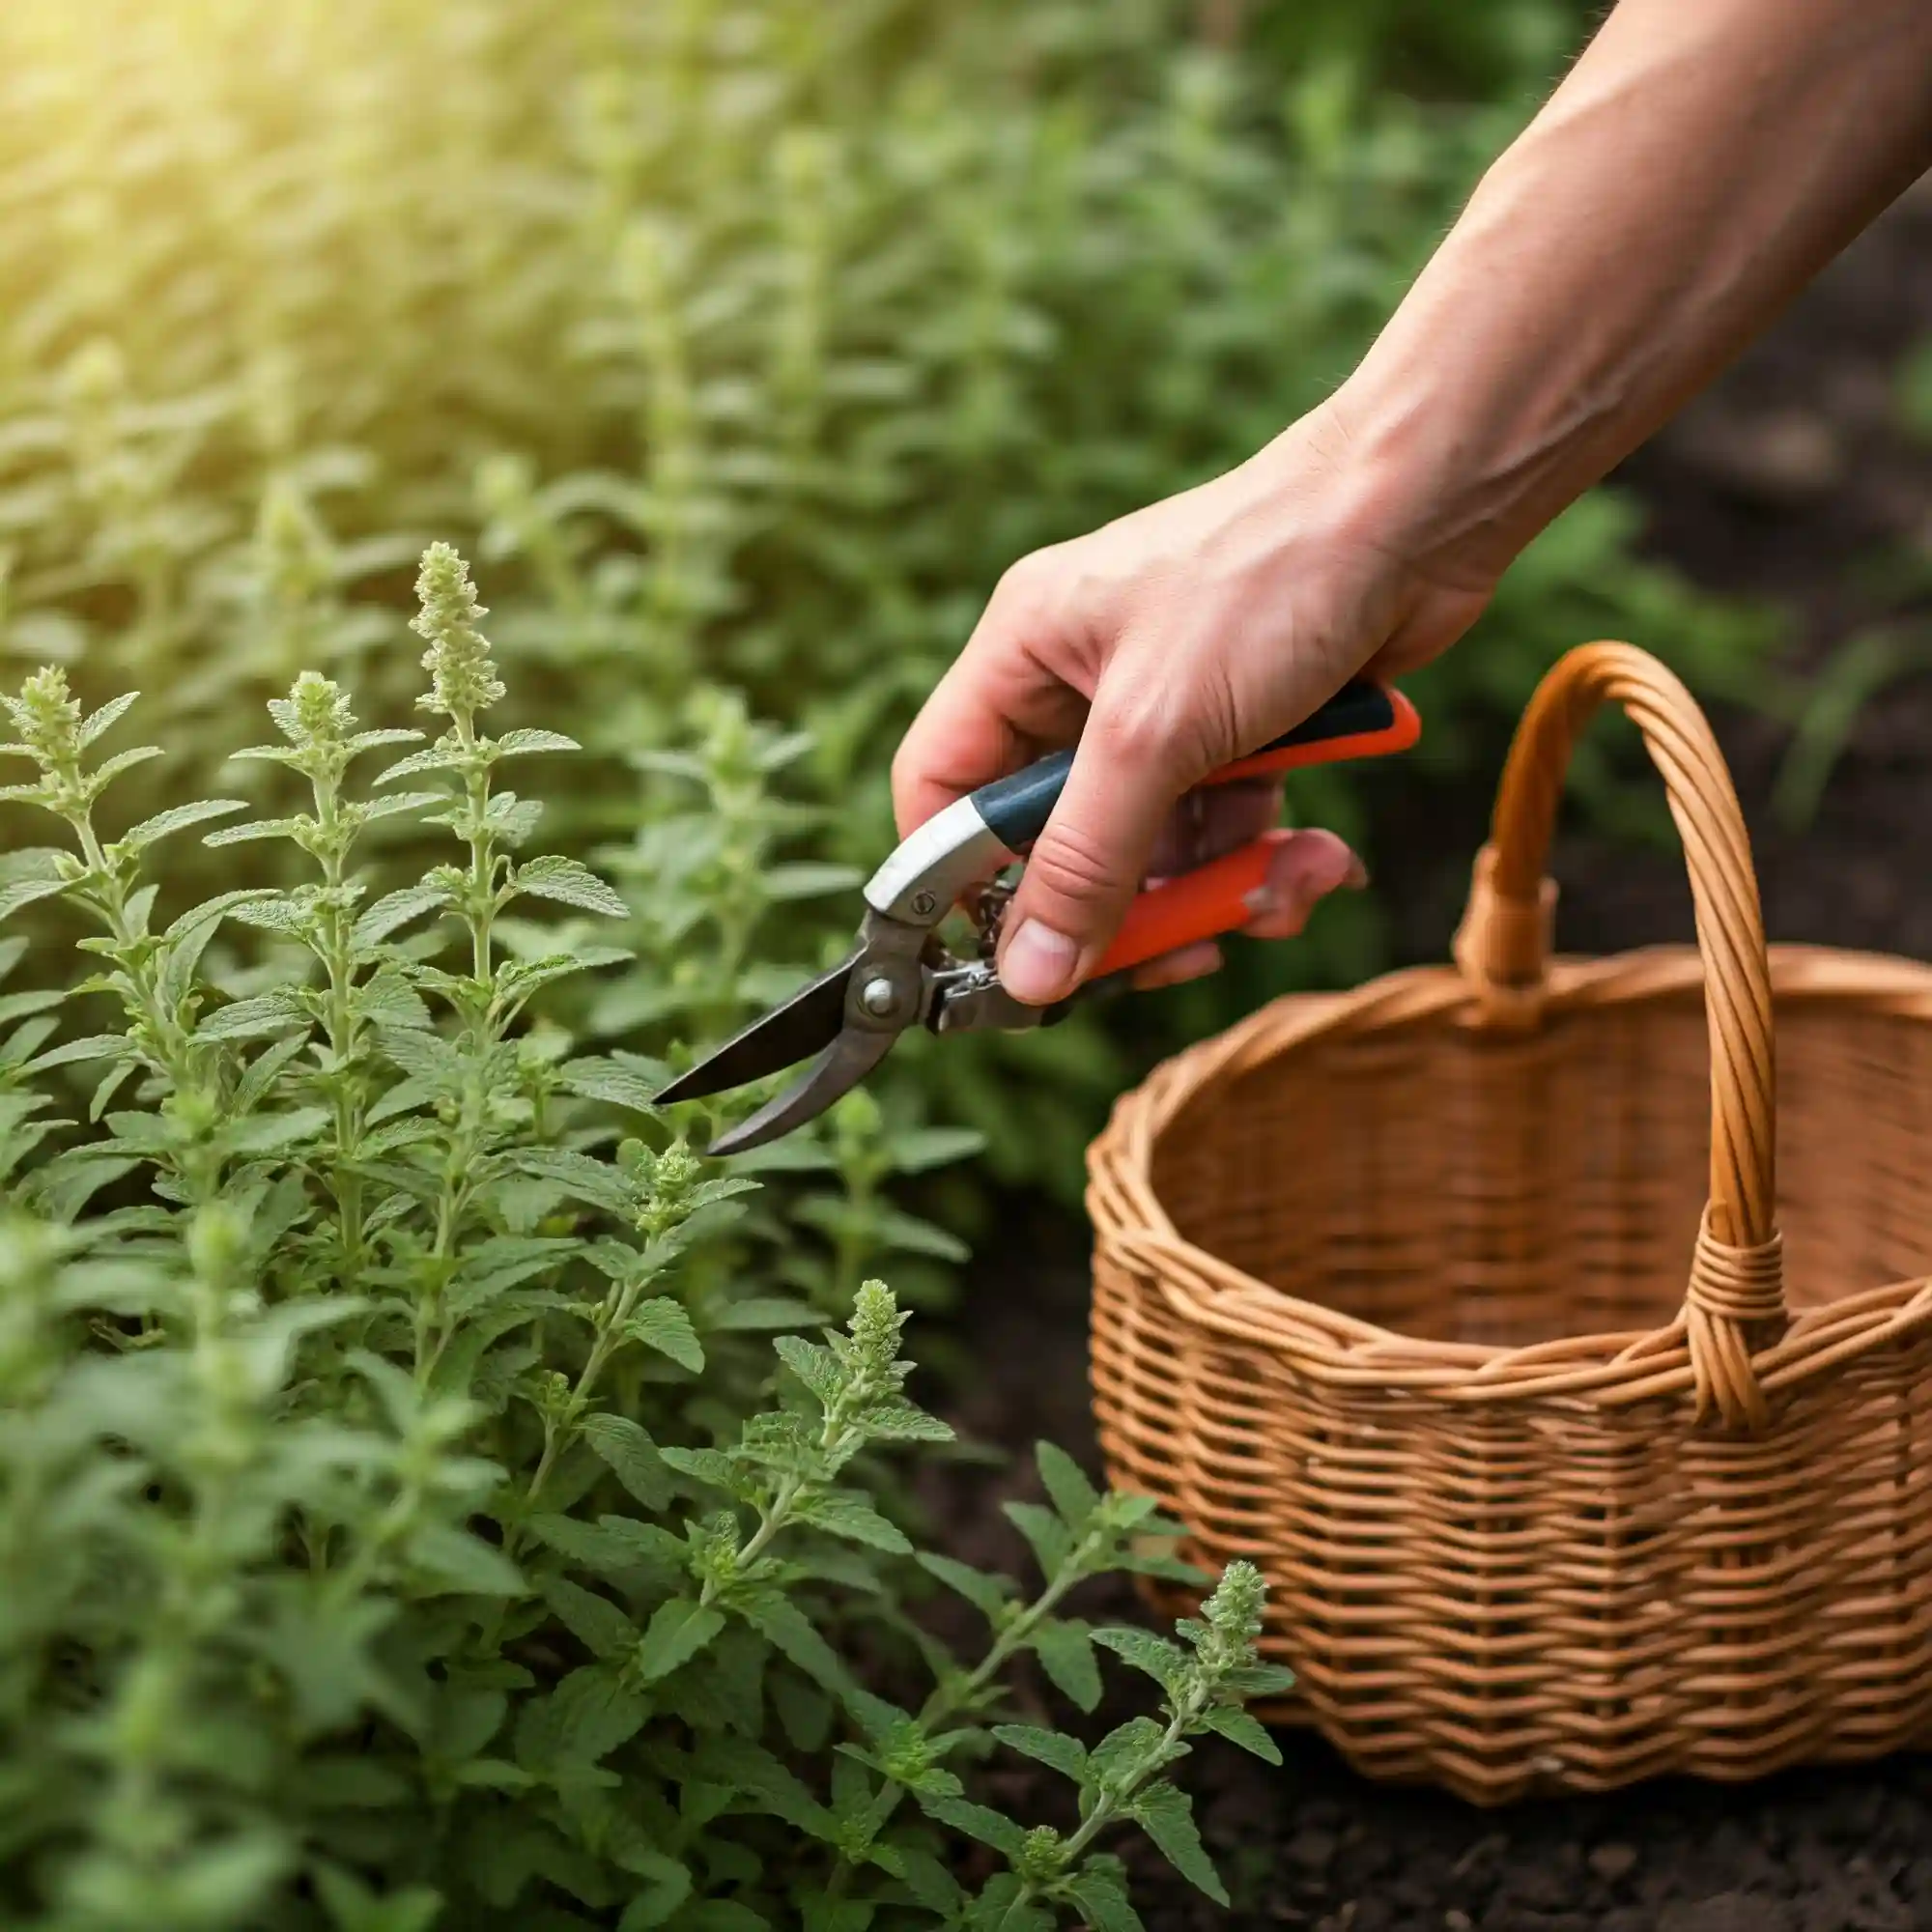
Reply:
x=403, y=1516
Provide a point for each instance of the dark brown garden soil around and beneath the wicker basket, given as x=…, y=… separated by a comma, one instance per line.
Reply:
x=1792, y=480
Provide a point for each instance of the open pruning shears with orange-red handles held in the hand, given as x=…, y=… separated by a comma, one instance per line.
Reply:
x=901, y=975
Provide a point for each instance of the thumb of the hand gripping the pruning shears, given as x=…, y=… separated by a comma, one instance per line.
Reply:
x=1089, y=865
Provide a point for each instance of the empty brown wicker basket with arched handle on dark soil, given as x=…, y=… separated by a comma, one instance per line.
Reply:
x=1576, y=1452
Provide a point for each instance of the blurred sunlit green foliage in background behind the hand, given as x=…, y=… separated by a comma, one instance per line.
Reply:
x=745, y=347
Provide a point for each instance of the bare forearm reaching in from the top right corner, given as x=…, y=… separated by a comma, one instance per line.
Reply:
x=1695, y=169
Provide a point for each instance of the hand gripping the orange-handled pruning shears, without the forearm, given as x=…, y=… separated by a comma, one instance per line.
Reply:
x=1172, y=642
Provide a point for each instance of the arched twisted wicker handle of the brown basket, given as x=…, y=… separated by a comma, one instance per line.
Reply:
x=1736, y=1293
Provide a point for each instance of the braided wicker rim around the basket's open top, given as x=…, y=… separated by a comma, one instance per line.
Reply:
x=1603, y=1369
